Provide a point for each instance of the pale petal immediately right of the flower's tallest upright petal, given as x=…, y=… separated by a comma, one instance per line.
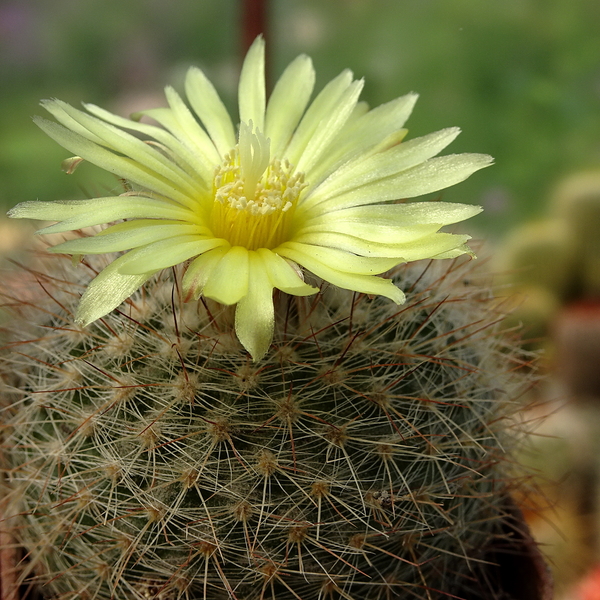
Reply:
x=288, y=102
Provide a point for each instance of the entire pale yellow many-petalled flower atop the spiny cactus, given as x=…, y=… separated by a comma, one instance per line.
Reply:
x=294, y=189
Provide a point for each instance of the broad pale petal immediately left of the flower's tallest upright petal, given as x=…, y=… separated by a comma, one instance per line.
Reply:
x=212, y=112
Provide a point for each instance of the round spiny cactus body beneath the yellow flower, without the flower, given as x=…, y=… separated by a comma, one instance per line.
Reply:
x=147, y=456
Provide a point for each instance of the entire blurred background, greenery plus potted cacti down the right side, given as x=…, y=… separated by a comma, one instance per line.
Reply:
x=520, y=77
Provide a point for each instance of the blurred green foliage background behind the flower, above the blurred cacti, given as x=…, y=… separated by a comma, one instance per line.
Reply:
x=520, y=77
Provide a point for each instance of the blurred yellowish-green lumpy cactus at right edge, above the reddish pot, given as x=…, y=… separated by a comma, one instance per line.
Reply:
x=554, y=261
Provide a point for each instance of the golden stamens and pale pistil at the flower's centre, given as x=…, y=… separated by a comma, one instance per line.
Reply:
x=254, y=196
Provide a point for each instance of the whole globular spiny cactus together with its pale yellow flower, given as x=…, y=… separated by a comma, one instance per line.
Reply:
x=251, y=423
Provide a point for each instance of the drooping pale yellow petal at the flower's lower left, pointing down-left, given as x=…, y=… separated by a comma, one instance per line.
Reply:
x=107, y=291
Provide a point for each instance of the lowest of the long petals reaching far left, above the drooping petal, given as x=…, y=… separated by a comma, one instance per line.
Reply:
x=125, y=236
